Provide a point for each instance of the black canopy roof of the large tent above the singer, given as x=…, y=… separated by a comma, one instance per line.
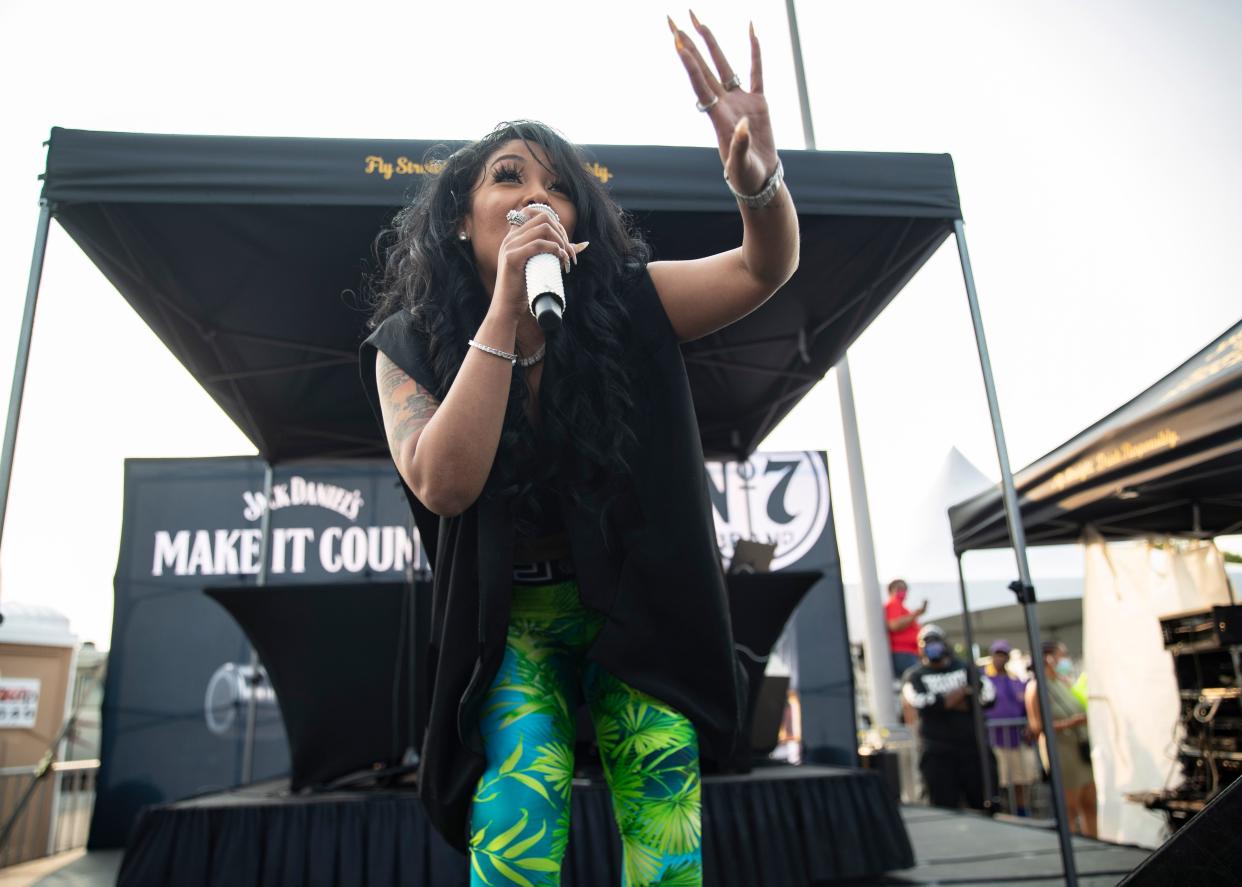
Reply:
x=247, y=255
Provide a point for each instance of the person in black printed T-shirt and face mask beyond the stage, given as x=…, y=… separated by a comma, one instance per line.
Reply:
x=942, y=690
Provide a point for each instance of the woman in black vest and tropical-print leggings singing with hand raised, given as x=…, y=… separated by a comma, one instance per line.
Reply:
x=558, y=483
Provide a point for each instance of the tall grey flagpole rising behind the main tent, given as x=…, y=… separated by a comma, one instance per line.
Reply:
x=880, y=665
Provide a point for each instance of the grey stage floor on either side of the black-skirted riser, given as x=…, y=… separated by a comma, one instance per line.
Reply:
x=952, y=849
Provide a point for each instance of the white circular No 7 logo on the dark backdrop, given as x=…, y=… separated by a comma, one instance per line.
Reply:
x=777, y=498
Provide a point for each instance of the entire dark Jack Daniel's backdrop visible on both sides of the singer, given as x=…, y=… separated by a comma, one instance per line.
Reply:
x=176, y=699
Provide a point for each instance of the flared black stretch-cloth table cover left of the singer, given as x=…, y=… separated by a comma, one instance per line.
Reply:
x=342, y=663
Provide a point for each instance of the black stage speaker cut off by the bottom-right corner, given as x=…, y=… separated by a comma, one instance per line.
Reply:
x=1207, y=850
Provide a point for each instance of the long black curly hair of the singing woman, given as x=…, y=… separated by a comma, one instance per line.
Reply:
x=587, y=401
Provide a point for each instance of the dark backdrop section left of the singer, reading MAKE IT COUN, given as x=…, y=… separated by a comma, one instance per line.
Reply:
x=176, y=696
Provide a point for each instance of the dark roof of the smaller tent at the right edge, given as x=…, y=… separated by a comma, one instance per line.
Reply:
x=1168, y=463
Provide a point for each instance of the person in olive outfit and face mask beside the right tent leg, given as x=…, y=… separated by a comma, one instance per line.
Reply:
x=1070, y=727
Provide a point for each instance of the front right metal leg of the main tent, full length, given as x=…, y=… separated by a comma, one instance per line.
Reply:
x=1027, y=591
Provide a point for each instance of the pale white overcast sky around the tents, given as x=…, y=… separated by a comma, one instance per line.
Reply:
x=1096, y=147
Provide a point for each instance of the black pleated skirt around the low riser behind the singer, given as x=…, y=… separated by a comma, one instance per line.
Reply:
x=776, y=828
